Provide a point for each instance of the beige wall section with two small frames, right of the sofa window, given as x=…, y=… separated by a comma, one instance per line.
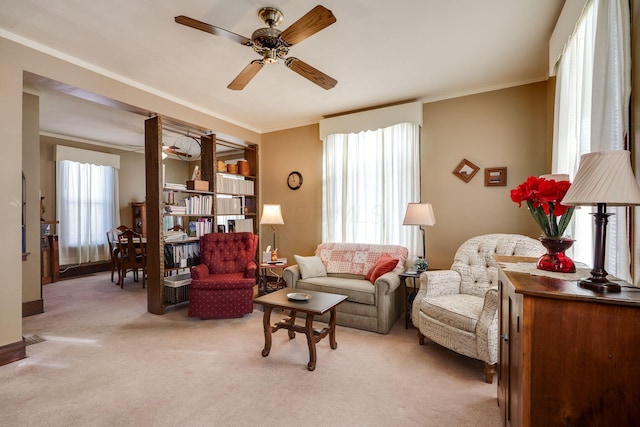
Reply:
x=505, y=128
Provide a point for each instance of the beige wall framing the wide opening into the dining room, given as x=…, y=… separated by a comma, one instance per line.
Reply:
x=17, y=59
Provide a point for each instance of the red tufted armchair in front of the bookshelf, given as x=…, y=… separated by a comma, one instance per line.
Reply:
x=222, y=284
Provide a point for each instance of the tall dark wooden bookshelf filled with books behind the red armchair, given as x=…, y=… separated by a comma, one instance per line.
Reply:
x=202, y=209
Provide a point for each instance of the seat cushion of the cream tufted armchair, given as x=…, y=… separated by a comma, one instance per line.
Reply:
x=460, y=311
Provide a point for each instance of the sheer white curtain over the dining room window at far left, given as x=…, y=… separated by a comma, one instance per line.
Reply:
x=87, y=206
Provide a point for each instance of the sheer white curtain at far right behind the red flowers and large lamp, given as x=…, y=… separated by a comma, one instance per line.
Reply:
x=591, y=114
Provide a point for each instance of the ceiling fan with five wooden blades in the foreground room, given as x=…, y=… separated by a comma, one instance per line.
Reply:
x=273, y=44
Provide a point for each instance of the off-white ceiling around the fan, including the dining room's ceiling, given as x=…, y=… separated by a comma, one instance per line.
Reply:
x=380, y=52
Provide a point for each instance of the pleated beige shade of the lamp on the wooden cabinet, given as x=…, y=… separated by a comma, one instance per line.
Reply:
x=604, y=177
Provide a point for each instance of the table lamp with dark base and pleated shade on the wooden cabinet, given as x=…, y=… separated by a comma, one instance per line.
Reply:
x=603, y=178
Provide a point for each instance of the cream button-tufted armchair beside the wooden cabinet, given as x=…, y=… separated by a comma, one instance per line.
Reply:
x=458, y=308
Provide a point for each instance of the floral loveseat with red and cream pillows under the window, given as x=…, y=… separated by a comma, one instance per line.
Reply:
x=366, y=273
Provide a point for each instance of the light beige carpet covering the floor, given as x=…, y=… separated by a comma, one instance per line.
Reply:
x=105, y=361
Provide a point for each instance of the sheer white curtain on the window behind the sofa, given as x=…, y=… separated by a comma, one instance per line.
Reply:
x=369, y=178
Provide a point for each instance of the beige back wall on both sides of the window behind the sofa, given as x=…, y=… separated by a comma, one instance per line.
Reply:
x=505, y=128
